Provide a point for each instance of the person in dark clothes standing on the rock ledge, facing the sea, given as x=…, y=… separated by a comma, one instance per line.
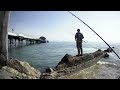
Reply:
x=78, y=38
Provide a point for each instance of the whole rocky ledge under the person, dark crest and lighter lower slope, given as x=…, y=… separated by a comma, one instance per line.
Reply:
x=71, y=64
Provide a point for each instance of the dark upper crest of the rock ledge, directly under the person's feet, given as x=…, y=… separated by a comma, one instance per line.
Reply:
x=69, y=61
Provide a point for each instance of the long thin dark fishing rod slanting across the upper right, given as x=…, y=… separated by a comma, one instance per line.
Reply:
x=95, y=33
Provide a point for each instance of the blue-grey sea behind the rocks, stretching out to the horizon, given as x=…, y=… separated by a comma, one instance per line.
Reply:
x=49, y=54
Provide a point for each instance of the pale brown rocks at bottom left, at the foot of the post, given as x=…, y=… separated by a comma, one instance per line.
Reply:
x=16, y=69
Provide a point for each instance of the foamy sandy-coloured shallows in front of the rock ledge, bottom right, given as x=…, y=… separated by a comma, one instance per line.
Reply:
x=101, y=70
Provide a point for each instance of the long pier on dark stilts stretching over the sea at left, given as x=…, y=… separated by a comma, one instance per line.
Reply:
x=15, y=39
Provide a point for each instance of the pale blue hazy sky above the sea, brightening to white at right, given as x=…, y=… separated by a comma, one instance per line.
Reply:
x=62, y=26
